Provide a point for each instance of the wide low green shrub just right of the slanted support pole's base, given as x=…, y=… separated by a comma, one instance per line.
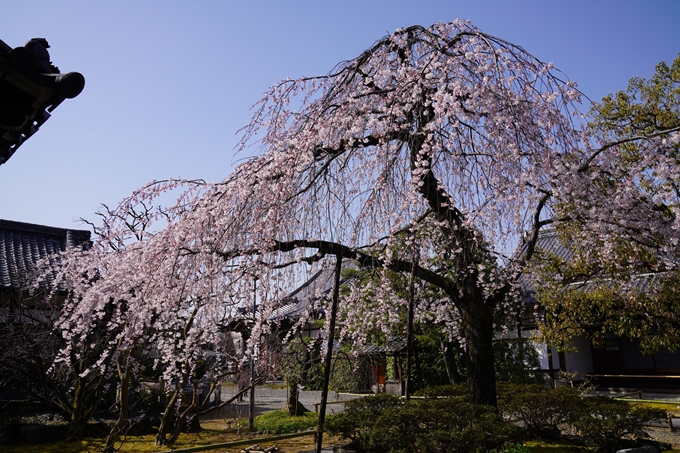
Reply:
x=387, y=424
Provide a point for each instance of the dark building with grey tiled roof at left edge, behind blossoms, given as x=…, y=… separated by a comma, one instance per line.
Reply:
x=27, y=319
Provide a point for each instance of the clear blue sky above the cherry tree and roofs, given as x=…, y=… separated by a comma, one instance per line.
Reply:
x=169, y=83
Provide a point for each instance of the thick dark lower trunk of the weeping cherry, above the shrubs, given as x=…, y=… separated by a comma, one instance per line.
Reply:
x=478, y=330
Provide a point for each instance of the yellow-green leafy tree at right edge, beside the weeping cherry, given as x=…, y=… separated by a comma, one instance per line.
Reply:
x=626, y=283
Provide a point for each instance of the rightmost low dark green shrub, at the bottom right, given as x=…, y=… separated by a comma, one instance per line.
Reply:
x=605, y=421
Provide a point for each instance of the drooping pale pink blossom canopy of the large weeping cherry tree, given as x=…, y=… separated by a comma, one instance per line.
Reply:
x=443, y=137
